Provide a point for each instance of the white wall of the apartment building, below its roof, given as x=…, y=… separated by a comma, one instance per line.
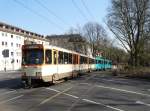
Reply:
x=14, y=45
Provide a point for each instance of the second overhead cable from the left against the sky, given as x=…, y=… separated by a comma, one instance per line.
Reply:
x=51, y=12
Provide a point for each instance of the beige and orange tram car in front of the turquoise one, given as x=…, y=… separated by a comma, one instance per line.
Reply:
x=50, y=63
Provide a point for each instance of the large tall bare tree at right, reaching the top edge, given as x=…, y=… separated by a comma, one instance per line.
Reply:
x=128, y=20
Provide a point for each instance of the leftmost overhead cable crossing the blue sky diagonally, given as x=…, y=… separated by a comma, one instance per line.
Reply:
x=38, y=14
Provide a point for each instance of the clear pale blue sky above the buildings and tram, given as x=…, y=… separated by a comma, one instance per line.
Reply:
x=21, y=16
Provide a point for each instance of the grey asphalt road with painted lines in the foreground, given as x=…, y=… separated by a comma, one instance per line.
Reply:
x=96, y=91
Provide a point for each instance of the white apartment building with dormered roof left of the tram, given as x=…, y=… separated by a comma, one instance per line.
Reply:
x=11, y=40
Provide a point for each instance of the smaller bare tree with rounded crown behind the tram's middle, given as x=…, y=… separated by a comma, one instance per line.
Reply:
x=96, y=36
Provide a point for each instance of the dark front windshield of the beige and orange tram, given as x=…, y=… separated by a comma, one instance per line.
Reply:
x=32, y=57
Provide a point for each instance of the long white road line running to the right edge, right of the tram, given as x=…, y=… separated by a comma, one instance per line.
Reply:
x=123, y=90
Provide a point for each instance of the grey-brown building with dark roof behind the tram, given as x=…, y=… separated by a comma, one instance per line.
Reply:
x=73, y=42
